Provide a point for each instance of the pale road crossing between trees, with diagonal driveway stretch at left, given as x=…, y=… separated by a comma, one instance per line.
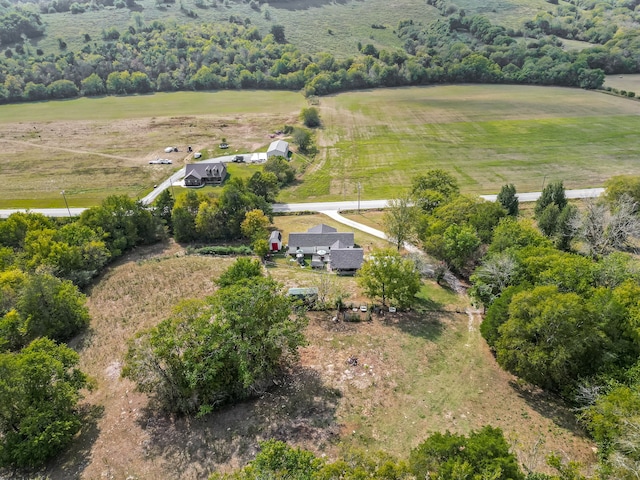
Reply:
x=298, y=207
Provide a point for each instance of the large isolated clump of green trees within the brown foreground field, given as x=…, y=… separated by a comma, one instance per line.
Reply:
x=223, y=349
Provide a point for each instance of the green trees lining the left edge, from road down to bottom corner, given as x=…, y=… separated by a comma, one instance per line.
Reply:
x=42, y=265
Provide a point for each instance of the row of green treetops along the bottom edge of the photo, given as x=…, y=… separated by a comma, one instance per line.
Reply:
x=483, y=454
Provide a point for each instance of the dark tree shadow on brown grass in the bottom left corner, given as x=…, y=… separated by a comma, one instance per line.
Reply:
x=73, y=461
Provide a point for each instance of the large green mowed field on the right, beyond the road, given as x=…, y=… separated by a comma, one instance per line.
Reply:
x=485, y=135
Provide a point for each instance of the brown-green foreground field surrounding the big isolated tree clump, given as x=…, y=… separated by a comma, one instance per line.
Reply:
x=417, y=373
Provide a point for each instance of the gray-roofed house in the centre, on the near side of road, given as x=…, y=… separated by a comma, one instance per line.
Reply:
x=319, y=243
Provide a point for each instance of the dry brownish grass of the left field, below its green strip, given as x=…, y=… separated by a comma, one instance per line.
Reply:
x=91, y=159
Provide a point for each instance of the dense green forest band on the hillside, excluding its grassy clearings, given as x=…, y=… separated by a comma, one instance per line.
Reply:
x=165, y=56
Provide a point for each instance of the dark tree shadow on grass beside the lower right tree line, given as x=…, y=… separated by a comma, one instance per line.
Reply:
x=549, y=406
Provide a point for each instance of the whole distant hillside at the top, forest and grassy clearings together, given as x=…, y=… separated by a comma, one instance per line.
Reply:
x=126, y=46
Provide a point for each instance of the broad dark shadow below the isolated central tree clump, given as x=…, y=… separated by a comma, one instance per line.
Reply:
x=299, y=409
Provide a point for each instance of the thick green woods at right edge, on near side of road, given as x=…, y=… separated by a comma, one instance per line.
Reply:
x=562, y=310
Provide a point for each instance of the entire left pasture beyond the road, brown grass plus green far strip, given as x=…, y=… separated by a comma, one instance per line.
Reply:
x=96, y=147
